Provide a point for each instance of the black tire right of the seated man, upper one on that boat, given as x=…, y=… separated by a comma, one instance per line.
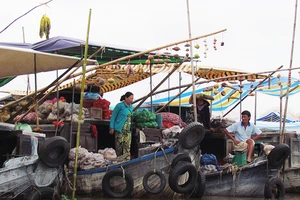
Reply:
x=278, y=155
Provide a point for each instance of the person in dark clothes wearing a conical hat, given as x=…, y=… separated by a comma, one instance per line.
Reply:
x=203, y=111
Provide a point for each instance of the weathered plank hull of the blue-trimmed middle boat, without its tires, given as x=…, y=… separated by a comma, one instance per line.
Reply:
x=90, y=182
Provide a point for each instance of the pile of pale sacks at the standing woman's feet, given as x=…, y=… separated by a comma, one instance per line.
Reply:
x=89, y=160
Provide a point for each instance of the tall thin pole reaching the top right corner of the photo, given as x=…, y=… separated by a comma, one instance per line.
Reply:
x=289, y=76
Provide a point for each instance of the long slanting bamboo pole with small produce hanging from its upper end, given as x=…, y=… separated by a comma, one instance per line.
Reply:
x=148, y=51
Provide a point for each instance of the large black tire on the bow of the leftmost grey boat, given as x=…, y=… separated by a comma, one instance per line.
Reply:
x=54, y=151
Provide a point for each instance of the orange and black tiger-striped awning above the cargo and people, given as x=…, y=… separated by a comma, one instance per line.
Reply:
x=117, y=76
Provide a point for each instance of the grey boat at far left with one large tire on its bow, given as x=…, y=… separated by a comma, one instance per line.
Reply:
x=35, y=176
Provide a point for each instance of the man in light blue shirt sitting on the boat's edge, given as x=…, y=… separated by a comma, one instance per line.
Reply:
x=243, y=132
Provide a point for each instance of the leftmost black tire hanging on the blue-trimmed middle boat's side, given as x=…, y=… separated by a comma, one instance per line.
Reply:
x=108, y=190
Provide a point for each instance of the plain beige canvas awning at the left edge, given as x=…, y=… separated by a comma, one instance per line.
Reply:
x=19, y=61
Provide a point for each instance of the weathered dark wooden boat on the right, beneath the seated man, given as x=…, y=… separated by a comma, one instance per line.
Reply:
x=279, y=170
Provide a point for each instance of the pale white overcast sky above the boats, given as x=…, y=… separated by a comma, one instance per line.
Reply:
x=258, y=36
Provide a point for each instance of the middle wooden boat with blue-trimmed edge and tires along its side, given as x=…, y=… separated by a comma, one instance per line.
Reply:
x=152, y=174
